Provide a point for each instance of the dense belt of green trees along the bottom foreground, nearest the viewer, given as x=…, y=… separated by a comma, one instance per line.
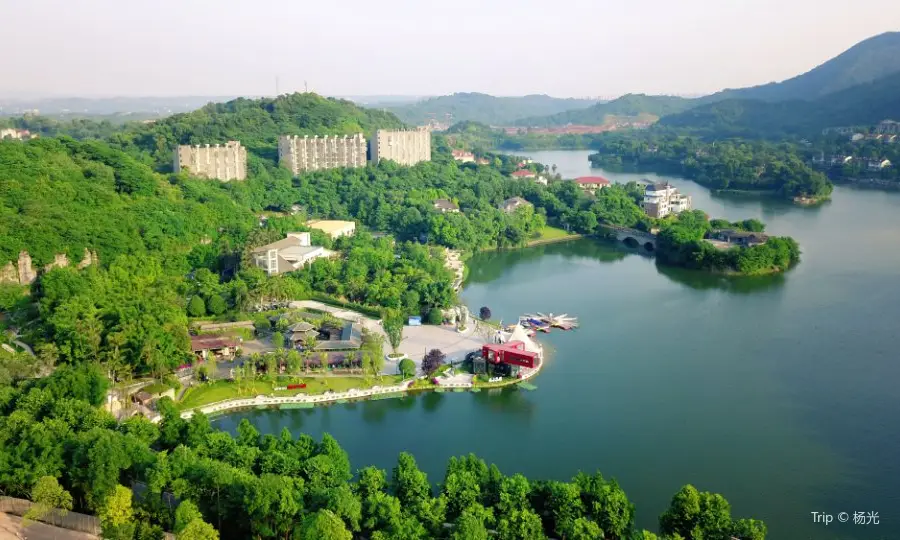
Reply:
x=142, y=478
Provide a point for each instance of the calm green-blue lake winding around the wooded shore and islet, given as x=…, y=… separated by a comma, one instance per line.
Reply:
x=779, y=392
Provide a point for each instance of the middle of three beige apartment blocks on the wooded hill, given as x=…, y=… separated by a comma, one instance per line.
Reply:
x=301, y=154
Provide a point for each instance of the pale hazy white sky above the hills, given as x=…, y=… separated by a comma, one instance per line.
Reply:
x=421, y=47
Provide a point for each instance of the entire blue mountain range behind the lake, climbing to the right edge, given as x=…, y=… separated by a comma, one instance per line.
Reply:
x=859, y=86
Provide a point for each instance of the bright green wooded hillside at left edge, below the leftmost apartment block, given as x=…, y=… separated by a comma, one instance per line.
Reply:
x=62, y=196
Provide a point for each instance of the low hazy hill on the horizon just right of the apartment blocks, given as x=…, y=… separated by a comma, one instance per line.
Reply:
x=485, y=108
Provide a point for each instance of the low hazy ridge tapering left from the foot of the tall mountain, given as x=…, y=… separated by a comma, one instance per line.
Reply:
x=627, y=105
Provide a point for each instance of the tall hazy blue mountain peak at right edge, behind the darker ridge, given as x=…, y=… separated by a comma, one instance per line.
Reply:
x=865, y=62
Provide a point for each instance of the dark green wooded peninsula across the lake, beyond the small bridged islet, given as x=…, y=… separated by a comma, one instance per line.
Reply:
x=730, y=164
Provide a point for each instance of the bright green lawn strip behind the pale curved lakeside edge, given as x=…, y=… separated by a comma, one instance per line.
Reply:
x=223, y=390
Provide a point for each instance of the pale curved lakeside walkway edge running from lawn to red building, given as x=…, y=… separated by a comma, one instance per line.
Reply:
x=395, y=391
